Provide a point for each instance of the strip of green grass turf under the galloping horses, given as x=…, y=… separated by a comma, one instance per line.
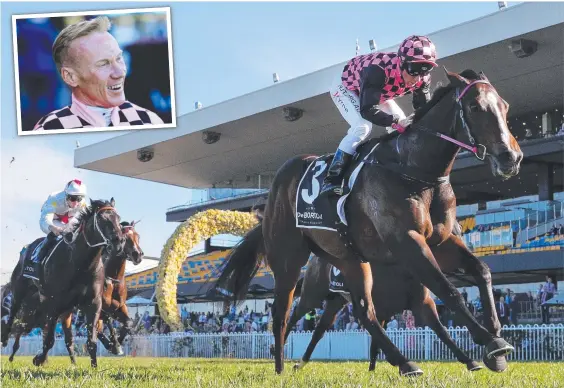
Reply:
x=195, y=373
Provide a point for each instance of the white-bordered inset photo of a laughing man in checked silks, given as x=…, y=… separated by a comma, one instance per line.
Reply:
x=94, y=71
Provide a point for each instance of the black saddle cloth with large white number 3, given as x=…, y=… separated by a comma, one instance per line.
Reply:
x=314, y=212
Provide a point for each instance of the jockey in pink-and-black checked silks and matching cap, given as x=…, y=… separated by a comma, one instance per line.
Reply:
x=364, y=94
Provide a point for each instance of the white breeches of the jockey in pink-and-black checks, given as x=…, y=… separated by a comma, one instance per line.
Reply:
x=360, y=129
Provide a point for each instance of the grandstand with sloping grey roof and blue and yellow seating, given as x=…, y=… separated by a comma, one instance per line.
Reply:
x=510, y=224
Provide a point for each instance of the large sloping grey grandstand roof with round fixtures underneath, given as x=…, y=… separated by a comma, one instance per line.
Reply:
x=256, y=139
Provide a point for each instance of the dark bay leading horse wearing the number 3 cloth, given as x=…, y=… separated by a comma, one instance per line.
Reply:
x=401, y=206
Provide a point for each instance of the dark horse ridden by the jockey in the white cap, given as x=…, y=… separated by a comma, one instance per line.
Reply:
x=72, y=274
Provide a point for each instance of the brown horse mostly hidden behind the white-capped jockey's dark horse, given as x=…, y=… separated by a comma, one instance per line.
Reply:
x=113, y=301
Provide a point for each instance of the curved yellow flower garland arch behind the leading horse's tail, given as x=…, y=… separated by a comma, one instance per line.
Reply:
x=199, y=227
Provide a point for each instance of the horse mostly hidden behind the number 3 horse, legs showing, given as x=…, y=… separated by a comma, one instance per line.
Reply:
x=388, y=299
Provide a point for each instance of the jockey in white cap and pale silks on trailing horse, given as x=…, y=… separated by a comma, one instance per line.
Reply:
x=58, y=215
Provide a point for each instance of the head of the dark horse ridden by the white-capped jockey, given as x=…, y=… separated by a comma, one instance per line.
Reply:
x=102, y=226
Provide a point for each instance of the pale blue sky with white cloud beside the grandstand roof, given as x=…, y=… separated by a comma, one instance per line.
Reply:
x=220, y=51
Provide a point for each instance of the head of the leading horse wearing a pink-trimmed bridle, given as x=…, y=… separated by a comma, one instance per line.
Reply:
x=482, y=119
